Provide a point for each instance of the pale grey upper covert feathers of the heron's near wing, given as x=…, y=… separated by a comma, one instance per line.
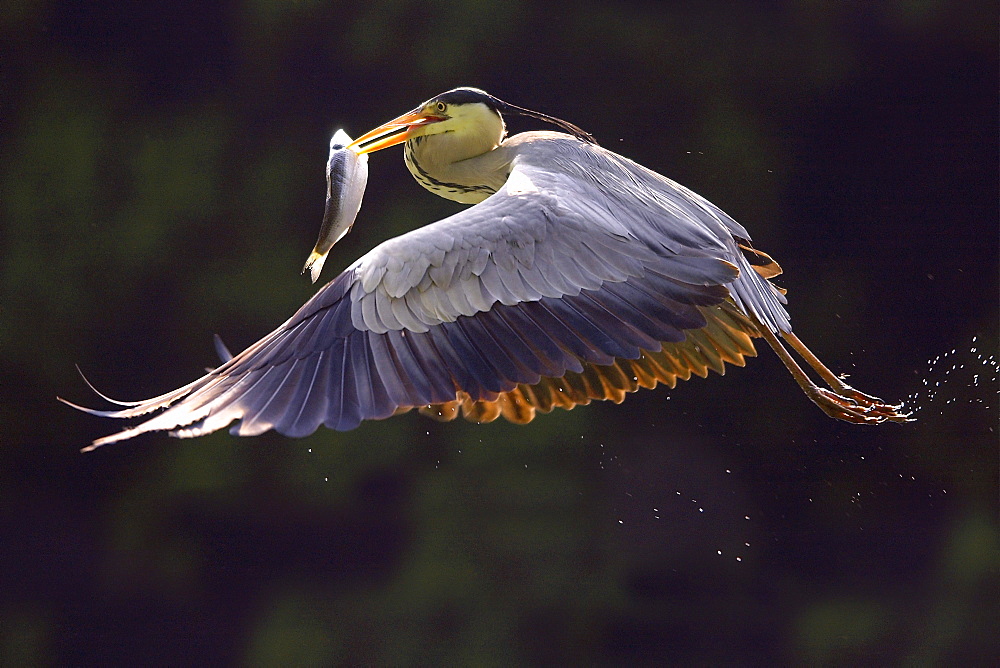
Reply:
x=522, y=246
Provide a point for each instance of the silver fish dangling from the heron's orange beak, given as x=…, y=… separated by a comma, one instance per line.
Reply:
x=346, y=178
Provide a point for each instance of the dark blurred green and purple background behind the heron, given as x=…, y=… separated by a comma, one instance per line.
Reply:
x=162, y=180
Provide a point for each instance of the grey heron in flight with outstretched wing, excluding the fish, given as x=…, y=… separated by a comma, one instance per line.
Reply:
x=578, y=275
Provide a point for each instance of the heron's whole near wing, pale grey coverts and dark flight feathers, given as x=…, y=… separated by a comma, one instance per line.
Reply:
x=544, y=278
